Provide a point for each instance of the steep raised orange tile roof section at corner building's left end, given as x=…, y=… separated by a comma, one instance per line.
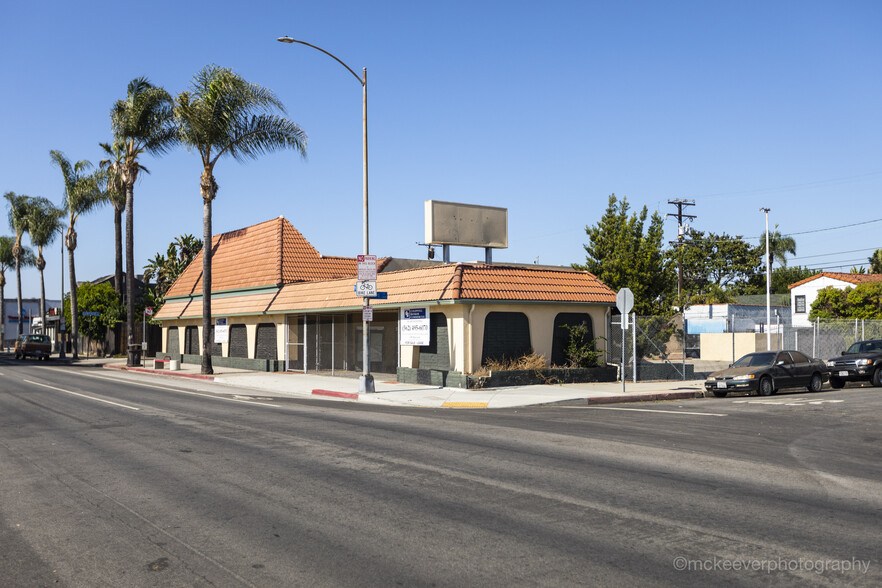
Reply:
x=270, y=253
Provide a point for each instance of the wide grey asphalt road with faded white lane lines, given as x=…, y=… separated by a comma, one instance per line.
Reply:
x=110, y=479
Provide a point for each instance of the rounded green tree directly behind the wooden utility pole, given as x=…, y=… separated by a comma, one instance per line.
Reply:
x=714, y=264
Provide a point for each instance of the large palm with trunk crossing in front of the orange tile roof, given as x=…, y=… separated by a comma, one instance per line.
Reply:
x=223, y=114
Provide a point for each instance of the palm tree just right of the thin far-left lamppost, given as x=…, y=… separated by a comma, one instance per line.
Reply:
x=82, y=194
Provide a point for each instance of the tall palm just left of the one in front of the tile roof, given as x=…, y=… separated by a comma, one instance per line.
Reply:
x=144, y=122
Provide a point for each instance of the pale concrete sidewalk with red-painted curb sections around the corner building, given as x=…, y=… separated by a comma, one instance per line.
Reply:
x=290, y=384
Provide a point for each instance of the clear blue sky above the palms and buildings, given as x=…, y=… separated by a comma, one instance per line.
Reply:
x=541, y=107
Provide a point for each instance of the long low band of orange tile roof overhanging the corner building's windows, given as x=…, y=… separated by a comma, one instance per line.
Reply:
x=452, y=282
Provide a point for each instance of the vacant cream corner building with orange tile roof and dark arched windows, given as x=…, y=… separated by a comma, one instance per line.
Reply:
x=288, y=307
